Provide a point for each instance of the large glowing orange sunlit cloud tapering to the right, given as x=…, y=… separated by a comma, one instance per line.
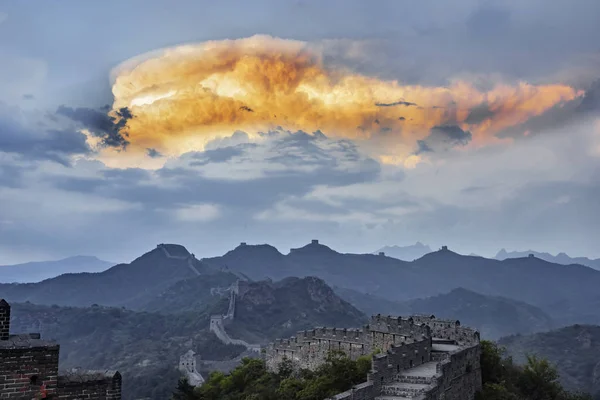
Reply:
x=184, y=96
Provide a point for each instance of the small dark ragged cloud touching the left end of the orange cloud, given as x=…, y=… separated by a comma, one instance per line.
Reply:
x=110, y=129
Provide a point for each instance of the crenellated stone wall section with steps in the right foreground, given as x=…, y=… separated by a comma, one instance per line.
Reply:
x=416, y=356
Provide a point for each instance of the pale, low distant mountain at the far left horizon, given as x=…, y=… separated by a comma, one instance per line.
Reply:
x=40, y=270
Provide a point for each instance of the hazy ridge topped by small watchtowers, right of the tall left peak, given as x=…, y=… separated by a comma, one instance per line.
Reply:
x=567, y=293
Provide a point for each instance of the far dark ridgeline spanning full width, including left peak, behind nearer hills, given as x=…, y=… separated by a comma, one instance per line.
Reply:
x=568, y=294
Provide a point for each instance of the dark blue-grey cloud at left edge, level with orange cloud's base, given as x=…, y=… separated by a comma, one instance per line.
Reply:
x=38, y=144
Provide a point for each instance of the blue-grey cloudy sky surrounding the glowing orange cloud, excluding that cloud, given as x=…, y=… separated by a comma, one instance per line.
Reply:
x=287, y=188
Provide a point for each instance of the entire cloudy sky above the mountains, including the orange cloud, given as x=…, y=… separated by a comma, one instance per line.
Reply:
x=472, y=123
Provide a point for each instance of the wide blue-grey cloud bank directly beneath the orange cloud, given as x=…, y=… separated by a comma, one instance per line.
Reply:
x=295, y=163
